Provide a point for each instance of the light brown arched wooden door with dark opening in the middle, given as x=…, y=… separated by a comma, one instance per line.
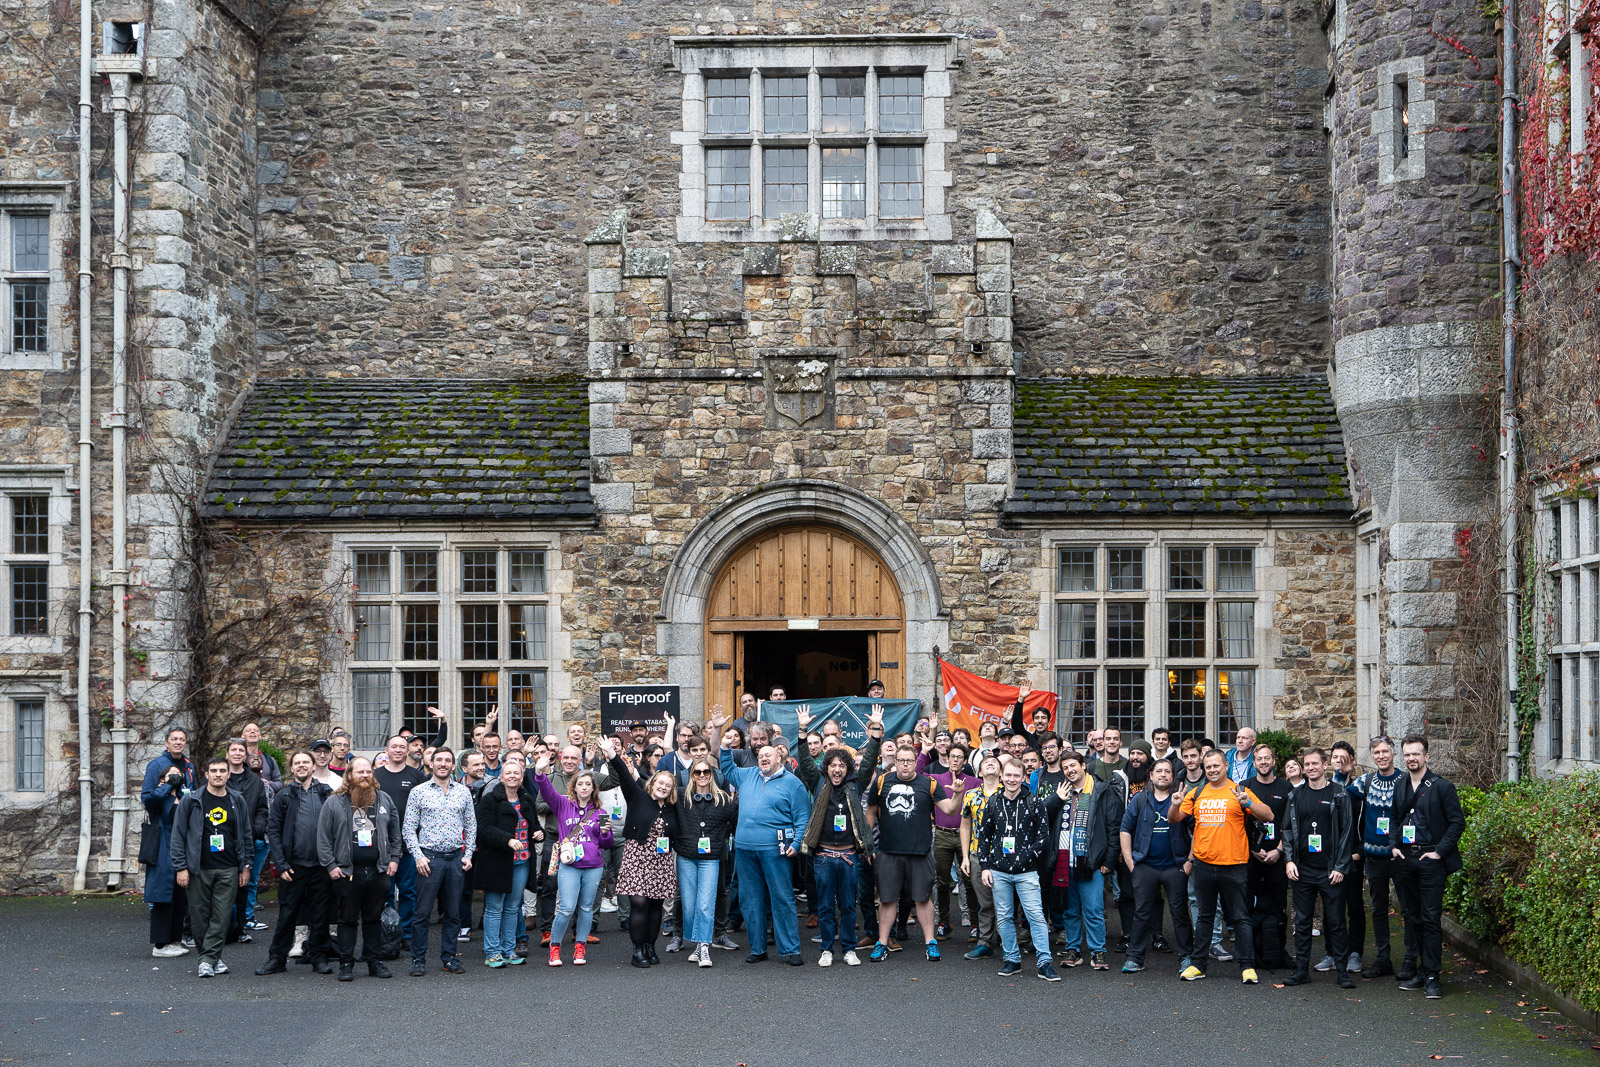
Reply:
x=807, y=583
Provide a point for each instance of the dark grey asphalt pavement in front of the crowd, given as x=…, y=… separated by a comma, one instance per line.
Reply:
x=79, y=986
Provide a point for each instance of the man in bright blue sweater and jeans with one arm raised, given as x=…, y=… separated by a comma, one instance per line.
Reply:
x=774, y=812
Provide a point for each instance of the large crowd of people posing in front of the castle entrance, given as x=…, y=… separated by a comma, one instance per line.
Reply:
x=1017, y=839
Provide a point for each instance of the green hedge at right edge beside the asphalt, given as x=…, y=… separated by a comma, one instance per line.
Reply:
x=1532, y=877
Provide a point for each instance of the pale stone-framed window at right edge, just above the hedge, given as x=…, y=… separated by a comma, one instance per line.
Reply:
x=1570, y=545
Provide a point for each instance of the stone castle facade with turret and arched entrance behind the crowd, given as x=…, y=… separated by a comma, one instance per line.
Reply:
x=489, y=354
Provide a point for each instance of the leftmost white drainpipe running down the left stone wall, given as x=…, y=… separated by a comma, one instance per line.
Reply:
x=86, y=402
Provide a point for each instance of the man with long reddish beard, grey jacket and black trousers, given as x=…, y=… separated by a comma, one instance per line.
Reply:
x=359, y=844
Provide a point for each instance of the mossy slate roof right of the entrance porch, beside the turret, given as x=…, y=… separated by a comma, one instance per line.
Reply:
x=1090, y=446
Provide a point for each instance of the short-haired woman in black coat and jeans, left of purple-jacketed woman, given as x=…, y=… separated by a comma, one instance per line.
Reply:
x=508, y=829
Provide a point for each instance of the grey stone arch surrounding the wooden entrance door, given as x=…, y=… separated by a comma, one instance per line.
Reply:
x=681, y=626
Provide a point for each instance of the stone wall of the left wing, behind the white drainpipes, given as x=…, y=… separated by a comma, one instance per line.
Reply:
x=190, y=354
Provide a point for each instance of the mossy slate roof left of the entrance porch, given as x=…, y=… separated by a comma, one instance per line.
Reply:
x=308, y=450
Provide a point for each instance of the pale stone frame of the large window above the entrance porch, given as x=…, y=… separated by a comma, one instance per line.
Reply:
x=935, y=57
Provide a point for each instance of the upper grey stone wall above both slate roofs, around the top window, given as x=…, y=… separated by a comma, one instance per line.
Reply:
x=426, y=174
